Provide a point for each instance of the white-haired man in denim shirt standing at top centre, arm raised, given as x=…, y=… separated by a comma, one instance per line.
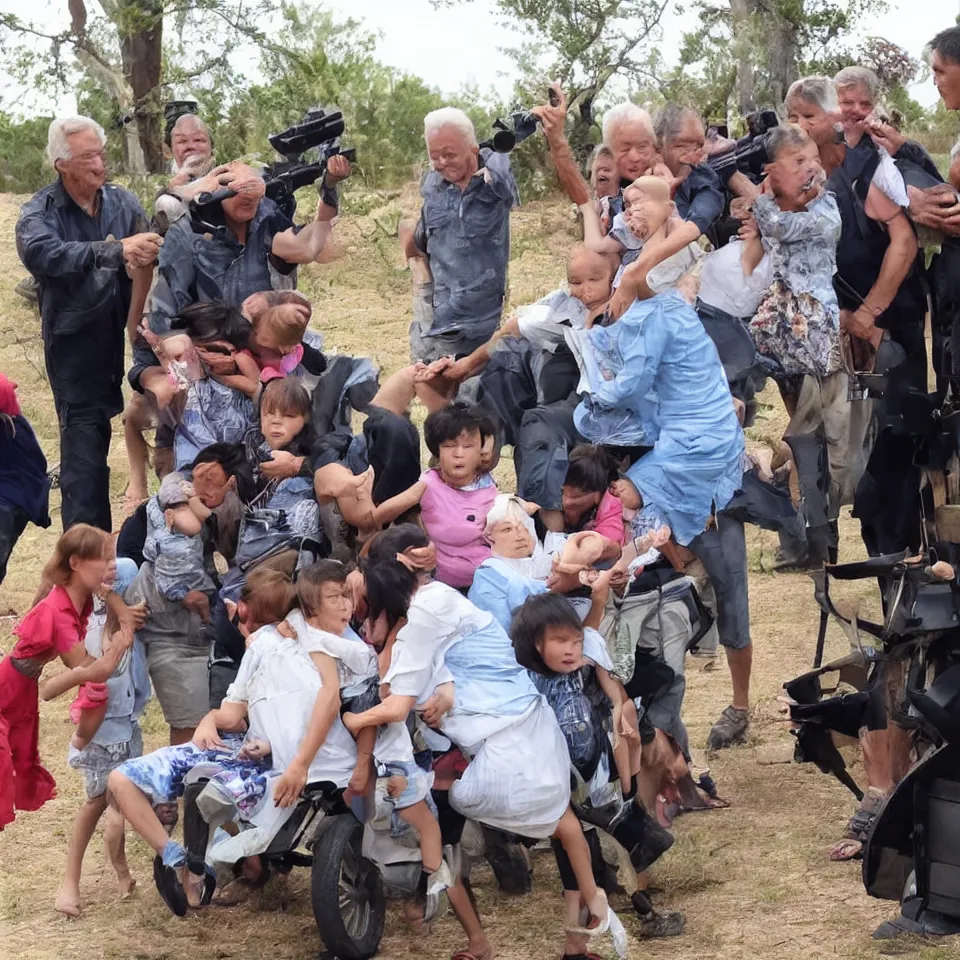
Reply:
x=460, y=247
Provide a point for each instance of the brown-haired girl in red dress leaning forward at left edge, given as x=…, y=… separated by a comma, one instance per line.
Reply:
x=55, y=627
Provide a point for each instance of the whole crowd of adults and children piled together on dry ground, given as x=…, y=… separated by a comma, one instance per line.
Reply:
x=308, y=604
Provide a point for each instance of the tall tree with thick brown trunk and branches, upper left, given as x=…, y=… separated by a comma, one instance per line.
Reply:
x=121, y=48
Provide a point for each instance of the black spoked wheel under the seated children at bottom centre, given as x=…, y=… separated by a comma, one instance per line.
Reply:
x=346, y=891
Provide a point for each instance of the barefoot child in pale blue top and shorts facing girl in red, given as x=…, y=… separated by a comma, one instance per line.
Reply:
x=105, y=738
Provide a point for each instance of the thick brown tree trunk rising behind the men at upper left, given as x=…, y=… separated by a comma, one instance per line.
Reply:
x=140, y=26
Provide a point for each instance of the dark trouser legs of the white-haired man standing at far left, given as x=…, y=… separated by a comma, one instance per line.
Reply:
x=84, y=474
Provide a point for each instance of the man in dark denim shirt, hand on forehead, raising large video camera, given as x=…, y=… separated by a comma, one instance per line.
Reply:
x=229, y=257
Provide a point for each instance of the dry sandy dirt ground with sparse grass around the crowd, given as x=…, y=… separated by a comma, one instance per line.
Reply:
x=754, y=880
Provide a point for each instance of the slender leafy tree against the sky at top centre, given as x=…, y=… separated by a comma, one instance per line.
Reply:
x=582, y=43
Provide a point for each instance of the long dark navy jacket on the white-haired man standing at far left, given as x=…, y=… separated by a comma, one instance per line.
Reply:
x=84, y=291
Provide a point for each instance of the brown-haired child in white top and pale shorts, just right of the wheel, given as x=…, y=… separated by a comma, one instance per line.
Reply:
x=322, y=625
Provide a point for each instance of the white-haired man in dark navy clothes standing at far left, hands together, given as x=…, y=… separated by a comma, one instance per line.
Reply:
x=83, y=239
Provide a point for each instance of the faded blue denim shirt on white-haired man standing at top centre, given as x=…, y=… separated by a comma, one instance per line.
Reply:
x=466, y=237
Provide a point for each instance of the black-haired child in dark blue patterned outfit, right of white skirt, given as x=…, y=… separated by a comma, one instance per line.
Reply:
x=572, y=669
